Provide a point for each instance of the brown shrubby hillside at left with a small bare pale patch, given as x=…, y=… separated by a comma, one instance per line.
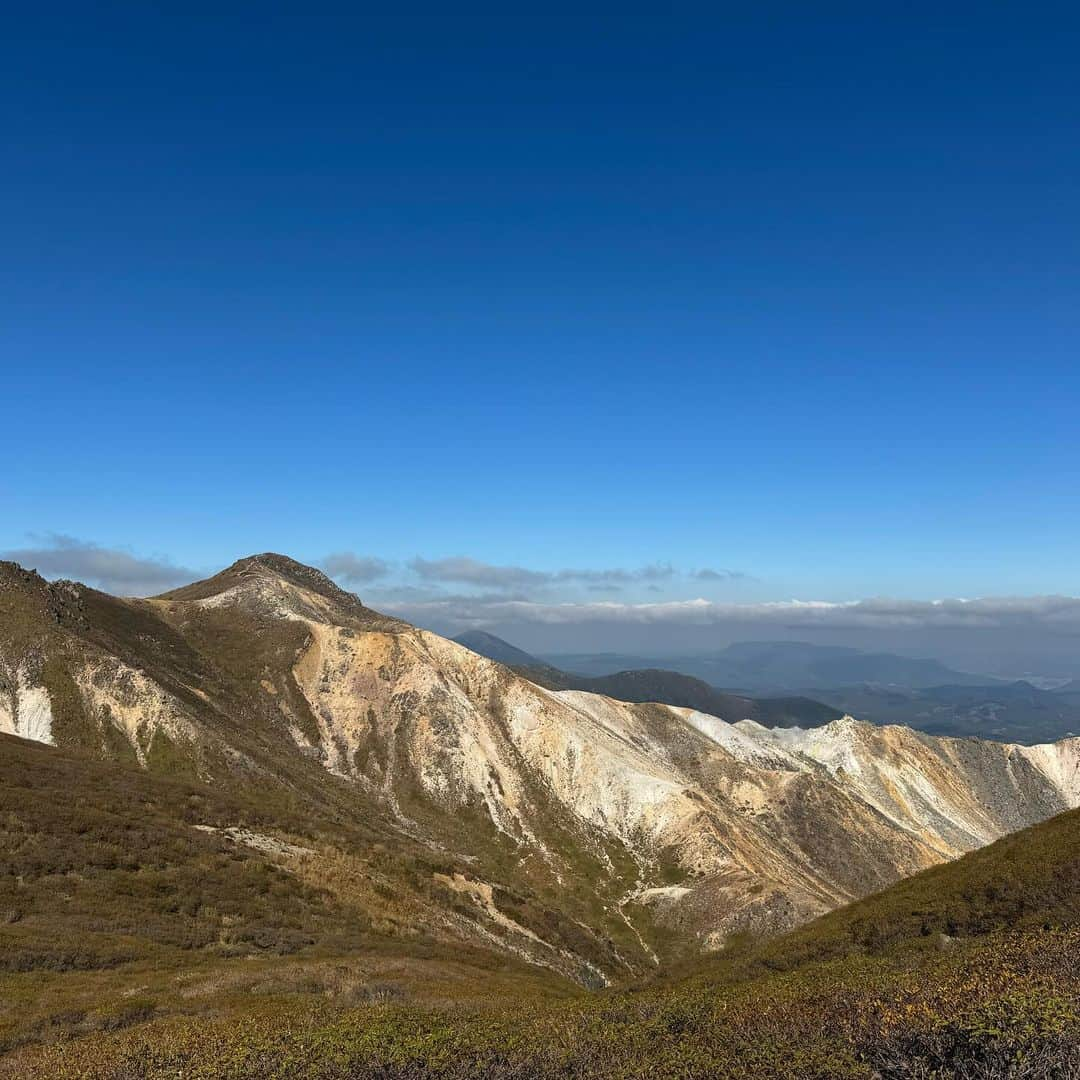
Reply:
x=127, y=896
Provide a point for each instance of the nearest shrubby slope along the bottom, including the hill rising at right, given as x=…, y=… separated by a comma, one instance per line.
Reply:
x=997, y=997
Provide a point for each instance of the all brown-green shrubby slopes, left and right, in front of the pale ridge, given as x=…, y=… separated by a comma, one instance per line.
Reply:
x=968, y=970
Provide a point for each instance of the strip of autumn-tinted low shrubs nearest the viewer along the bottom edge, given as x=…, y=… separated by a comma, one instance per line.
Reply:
x=1003, y=1006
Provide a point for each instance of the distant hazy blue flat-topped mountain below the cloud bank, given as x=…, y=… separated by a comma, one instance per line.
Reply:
x=777, y=668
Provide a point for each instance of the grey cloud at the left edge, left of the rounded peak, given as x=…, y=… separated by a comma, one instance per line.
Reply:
x=111, y=570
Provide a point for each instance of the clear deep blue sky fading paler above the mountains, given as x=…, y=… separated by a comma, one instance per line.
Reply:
x=787, y=295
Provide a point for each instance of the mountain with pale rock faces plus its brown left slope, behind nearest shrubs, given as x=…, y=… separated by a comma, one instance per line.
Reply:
x=258, y=781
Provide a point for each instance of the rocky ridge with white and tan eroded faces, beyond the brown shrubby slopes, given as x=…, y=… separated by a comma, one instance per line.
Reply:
x=642, y=814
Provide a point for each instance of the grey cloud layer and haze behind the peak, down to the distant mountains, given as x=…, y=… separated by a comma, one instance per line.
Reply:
x=651, y=610
